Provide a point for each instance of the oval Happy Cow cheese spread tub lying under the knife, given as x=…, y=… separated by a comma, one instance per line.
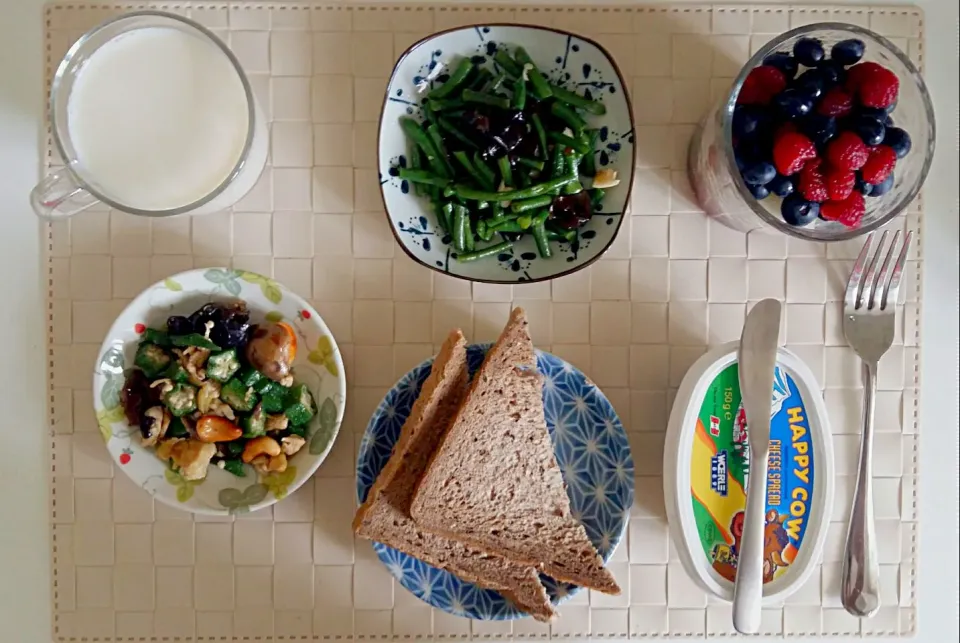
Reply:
x=706, y=469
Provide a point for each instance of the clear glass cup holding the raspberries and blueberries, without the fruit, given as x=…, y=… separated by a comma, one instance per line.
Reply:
x=721, y=191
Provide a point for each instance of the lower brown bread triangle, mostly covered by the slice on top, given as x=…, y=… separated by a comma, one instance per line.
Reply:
x=385, y=515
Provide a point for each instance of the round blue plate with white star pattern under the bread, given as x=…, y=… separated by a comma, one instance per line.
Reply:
x=591, y=448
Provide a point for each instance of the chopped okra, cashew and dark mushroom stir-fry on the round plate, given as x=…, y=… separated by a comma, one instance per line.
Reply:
x=212, y=388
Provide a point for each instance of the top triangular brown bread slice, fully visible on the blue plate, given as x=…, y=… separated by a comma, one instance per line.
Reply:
x=494, y=482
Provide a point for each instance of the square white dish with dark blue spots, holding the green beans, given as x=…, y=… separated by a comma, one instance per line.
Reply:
x=570, y=60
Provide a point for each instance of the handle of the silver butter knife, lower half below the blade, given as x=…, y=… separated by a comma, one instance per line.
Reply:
x=748, y=588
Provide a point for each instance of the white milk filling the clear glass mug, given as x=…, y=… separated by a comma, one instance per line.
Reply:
x=158, y=118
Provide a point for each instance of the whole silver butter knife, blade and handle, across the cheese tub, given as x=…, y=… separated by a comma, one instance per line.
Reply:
x=757, y=357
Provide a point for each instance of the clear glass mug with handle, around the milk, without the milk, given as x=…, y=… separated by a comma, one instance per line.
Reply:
x=74, y=188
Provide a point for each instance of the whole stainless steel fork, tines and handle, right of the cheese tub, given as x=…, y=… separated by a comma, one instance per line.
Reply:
x=869, y=313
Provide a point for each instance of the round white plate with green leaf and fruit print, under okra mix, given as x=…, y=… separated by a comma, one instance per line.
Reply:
x=317, y=364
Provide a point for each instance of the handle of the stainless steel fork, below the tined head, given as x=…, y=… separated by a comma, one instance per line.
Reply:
x=860, y=574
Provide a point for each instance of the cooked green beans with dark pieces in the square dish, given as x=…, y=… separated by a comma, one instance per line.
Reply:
x=505, y=153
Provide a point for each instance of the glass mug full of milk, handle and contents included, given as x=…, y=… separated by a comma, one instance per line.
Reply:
x=152, y=115
